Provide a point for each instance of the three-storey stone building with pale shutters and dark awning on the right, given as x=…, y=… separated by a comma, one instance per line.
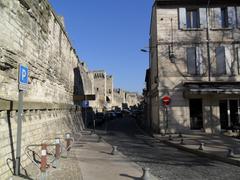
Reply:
x=194, y=59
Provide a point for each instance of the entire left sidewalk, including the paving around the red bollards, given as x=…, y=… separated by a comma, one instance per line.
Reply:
x=89, y=159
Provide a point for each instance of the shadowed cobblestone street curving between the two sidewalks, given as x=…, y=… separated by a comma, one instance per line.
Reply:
x=164, y=162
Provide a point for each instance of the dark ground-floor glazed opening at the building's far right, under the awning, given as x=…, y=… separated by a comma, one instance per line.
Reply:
x=230, y=113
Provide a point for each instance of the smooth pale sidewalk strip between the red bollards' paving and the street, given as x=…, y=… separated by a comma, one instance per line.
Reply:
x=97, y=162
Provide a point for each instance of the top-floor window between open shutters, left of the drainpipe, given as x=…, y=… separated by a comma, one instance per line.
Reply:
x=193, y=20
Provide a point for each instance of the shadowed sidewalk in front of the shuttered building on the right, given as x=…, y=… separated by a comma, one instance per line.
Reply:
x=215, y=146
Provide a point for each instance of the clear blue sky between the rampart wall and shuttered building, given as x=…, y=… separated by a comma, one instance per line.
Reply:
x=108, y=35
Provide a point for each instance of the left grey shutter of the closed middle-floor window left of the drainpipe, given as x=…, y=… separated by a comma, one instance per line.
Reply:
x=191, y=60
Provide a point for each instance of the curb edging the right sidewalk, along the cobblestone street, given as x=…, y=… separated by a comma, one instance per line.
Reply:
x=202, y=153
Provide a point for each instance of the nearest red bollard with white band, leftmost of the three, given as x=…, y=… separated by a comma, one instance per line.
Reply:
x=43, y=165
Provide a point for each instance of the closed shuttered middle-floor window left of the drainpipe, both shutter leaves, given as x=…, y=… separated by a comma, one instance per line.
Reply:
x=194, y=61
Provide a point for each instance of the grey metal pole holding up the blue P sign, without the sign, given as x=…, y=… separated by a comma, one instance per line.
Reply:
x=19, y=132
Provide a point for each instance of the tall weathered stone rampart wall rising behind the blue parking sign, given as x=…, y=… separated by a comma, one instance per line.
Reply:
x=32, y=34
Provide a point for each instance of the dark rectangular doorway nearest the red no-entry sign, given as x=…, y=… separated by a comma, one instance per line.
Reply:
x=196, y=114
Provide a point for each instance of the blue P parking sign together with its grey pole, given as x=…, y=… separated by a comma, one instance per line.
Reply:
x=22, y=86
